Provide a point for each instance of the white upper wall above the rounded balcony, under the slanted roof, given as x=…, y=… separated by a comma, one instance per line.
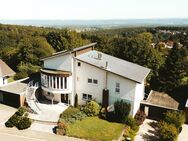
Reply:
x=59, y=63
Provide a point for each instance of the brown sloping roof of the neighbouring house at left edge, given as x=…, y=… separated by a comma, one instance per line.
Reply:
x=5, y=70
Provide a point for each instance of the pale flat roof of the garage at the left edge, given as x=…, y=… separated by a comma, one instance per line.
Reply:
x=15, y=88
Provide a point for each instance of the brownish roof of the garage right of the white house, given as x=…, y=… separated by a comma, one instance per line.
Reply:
x=161, y=100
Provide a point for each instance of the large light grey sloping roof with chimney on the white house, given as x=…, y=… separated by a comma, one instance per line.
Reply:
x=115, y=65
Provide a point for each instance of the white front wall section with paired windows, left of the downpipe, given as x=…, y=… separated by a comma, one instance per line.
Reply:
x=84, y=72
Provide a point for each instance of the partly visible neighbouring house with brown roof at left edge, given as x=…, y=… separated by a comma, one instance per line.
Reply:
x=5, y=73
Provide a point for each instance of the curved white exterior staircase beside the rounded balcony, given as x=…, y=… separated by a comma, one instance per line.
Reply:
x=31, y=98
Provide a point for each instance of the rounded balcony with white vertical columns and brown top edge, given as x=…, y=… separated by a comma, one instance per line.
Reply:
x=56, y=82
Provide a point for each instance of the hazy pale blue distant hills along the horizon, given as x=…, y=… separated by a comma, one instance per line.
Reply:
x=100, y=23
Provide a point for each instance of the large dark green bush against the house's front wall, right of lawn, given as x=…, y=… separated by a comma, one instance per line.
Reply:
x=122, y=110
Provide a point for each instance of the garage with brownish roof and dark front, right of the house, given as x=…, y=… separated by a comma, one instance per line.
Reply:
x=158, y=103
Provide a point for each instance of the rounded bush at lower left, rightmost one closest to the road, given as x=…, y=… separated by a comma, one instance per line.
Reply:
x=24, y=123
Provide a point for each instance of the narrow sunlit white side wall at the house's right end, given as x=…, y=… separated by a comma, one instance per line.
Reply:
x=139, y=96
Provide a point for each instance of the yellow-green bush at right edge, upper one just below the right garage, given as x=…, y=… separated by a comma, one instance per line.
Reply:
x=175, y=117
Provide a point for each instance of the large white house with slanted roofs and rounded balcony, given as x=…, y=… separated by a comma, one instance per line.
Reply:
x=92, y=75
